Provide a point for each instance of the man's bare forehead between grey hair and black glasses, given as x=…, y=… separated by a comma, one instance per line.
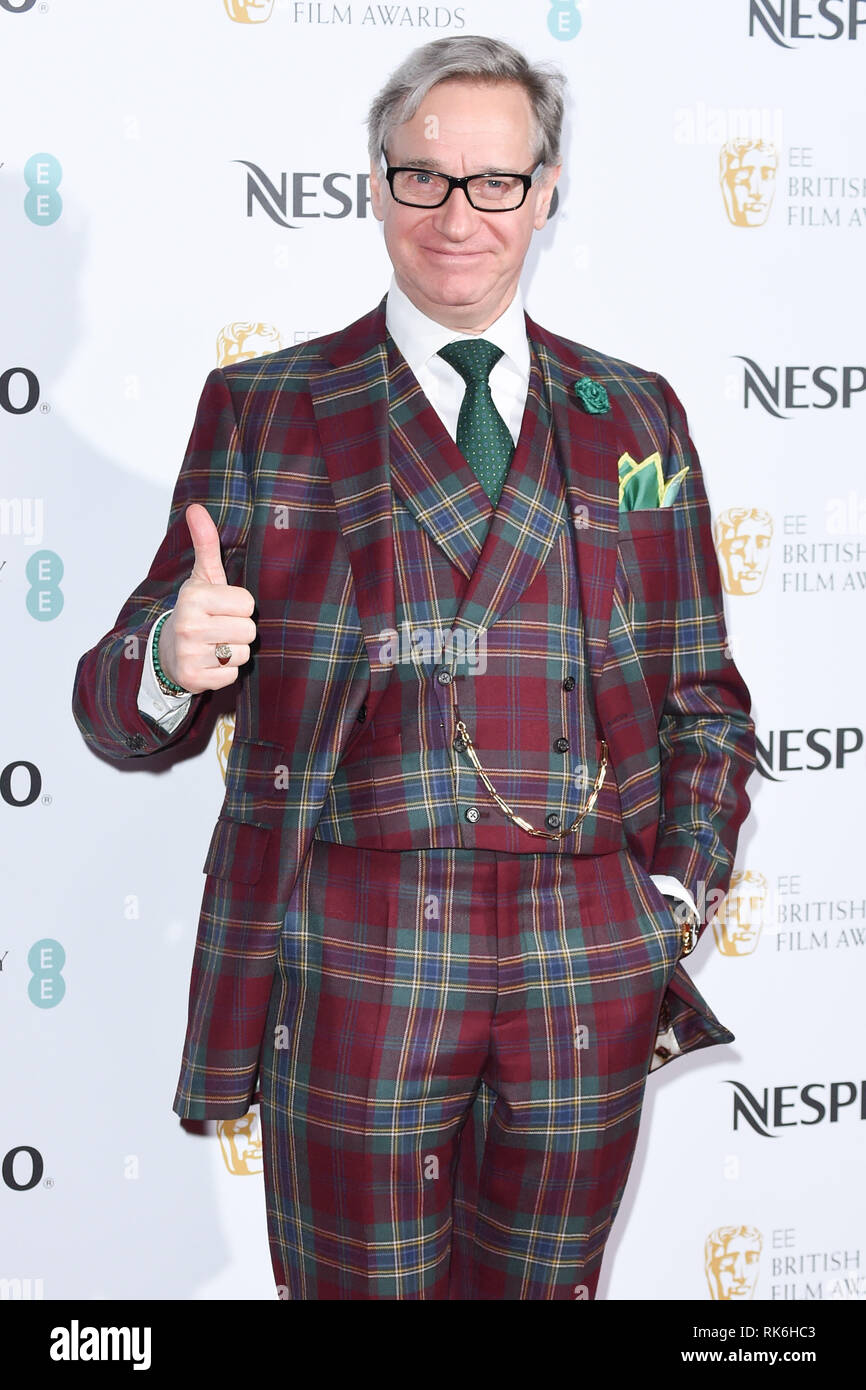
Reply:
x=468, y=122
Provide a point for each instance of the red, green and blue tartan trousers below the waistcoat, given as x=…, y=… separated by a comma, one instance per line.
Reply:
x=454, y=1070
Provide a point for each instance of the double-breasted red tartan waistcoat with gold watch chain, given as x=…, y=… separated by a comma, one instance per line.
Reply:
x=489, y=618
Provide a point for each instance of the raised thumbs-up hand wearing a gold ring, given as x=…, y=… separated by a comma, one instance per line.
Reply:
x=209, y=611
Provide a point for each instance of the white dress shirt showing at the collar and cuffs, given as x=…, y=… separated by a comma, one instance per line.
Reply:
x=420, y=338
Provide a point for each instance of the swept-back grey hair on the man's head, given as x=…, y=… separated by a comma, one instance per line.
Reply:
x=476, y=59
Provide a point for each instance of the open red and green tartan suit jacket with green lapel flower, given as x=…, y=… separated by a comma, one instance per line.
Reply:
x=290, y=455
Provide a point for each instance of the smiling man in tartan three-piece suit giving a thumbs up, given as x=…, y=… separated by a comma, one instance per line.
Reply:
x=436, y=924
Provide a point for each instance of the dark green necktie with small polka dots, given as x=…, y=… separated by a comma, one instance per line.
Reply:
x=483, y=437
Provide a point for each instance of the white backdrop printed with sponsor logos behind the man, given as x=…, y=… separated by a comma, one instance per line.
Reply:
x=138, y=252
